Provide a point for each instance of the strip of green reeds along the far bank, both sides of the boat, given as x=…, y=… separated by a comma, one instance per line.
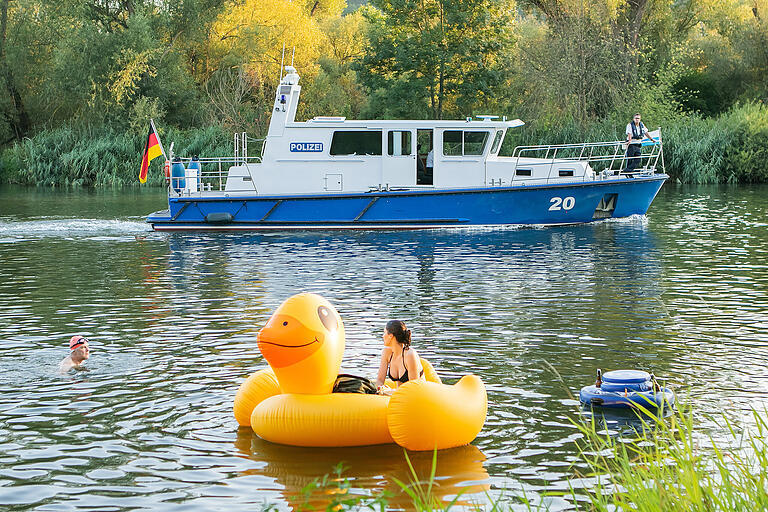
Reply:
x=731, y=148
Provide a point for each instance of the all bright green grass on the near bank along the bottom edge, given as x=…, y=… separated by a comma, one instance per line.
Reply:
x=666, y=466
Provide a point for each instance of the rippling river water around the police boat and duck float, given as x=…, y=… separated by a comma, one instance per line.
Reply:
x=682, y=292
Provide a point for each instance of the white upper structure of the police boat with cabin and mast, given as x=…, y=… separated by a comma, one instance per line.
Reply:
x=333, y=154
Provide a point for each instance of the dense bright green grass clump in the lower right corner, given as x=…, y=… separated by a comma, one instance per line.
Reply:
x=671, y=467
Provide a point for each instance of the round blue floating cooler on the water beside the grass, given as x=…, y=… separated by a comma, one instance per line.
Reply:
x=625, y=389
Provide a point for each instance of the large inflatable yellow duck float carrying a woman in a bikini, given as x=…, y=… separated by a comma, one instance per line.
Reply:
x=292, y=402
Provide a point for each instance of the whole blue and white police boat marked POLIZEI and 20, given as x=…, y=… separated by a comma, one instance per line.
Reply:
x=335, y=173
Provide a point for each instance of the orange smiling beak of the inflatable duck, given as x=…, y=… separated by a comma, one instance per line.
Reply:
x=285, y=341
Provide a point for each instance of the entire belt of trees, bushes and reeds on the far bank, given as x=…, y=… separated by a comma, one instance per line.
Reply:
x=81, y=79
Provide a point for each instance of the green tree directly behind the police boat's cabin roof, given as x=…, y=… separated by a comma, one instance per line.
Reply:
x=435, y=56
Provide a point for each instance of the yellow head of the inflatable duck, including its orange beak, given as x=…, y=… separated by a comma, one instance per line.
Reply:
x=303, y=342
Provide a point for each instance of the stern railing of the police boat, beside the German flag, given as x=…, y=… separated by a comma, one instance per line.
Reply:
x=212, y=176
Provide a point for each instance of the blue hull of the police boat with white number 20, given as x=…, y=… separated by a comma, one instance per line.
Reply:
x=571, y=203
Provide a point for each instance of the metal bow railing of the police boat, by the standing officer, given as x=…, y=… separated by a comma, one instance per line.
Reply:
x=605, y=158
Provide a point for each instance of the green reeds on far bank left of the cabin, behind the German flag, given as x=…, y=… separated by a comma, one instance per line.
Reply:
x=100, y=157
